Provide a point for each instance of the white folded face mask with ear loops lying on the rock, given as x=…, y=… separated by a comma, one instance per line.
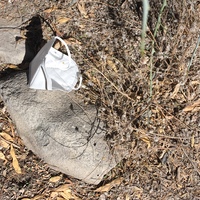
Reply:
x=53, y=70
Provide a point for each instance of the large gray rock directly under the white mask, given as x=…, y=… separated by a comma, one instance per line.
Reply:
x=58, y=128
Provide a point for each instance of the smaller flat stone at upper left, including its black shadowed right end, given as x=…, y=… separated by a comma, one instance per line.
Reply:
x=20, y=40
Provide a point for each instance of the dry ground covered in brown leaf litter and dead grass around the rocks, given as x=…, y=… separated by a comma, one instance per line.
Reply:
x=150, y=103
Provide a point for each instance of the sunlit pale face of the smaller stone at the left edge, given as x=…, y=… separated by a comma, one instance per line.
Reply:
x=11, y=51
